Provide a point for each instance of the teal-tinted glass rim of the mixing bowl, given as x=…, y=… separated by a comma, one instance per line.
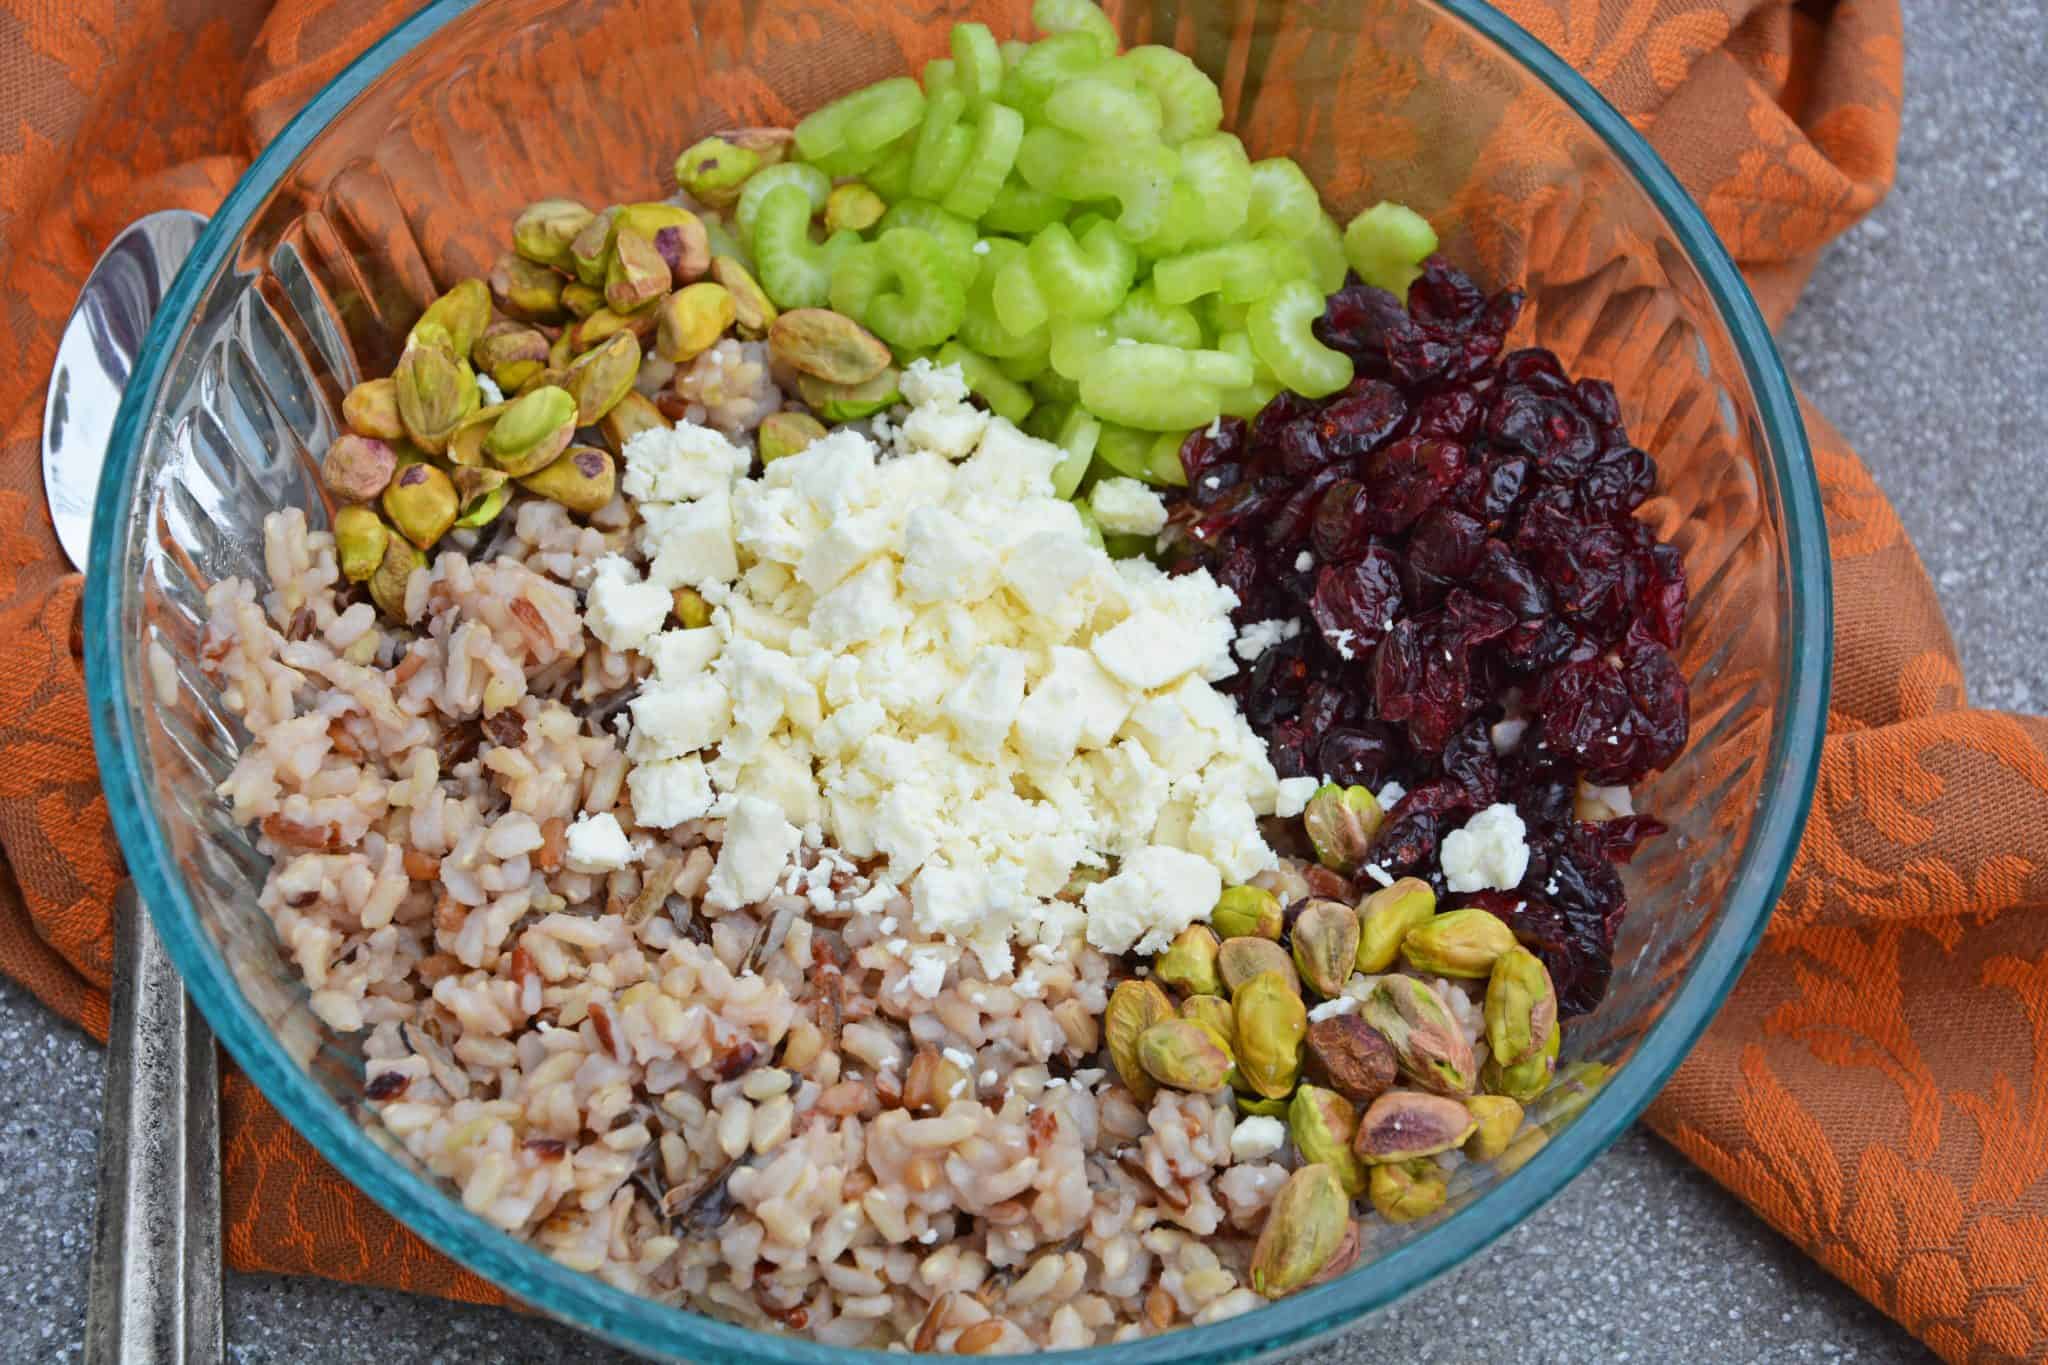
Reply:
x=644, y=1325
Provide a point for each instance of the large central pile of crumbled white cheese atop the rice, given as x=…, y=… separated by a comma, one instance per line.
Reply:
x=919, y=654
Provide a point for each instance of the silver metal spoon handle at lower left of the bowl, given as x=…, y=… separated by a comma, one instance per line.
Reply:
x=157, y=1239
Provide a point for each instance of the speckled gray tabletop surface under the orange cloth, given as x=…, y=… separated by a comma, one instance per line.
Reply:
x=1916, y=339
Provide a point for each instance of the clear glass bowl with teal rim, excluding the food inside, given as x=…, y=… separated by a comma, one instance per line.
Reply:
x=407, y=173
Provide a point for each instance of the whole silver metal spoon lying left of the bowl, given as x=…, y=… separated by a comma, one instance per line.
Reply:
x=157, y=1237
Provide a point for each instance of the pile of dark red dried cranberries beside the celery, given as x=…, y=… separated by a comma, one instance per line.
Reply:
x=1484, y=617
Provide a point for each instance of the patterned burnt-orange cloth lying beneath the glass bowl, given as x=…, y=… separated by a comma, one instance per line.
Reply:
x=1877, y=1088
